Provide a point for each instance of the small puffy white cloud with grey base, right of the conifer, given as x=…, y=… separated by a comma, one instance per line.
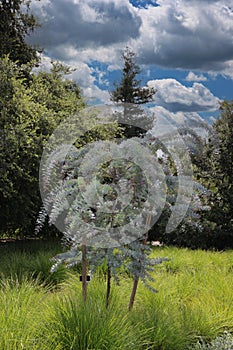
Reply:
x=174, y=96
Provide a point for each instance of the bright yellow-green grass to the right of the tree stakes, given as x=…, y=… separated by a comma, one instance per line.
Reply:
x=194, y=300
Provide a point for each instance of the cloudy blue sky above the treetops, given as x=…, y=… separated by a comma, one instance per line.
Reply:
x=184, y=49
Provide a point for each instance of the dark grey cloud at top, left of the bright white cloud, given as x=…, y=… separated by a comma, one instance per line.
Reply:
x=80, y=24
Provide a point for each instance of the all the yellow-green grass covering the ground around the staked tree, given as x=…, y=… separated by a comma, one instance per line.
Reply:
x=195, y=301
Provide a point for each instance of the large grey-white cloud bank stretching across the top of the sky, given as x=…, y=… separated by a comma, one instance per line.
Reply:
x=186, y=34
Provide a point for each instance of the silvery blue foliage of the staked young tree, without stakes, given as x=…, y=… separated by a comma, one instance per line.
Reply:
x=77, y=200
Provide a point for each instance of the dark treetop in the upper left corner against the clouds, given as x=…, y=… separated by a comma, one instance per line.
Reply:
x=15, y=24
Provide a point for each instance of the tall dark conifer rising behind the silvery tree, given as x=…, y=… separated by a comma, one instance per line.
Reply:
x=129, y=93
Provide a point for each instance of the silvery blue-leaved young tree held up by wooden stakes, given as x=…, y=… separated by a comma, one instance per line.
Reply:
x=104, y=197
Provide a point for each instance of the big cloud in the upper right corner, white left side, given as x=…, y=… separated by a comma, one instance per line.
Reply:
x=188, y=34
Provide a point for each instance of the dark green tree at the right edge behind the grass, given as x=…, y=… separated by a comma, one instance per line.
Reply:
x=209, y=221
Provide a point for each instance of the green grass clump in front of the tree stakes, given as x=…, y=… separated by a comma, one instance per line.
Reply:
x=74, y=324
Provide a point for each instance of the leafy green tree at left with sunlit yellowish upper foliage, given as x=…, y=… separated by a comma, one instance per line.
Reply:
x=29, y=112
